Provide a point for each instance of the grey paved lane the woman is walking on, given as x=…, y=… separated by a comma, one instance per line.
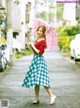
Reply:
x=64, y=77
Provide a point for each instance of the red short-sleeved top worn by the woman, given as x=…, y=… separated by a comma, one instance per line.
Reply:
x=40, y=45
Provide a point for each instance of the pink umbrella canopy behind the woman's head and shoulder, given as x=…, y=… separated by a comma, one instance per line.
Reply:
x=51, y=35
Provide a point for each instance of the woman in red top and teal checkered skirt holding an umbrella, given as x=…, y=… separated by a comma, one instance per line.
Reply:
x=37, y=74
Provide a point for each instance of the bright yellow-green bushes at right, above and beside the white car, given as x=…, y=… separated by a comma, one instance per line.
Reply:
x=65, y=35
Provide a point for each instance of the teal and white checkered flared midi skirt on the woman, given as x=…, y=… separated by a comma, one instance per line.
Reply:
x=37, y=73
